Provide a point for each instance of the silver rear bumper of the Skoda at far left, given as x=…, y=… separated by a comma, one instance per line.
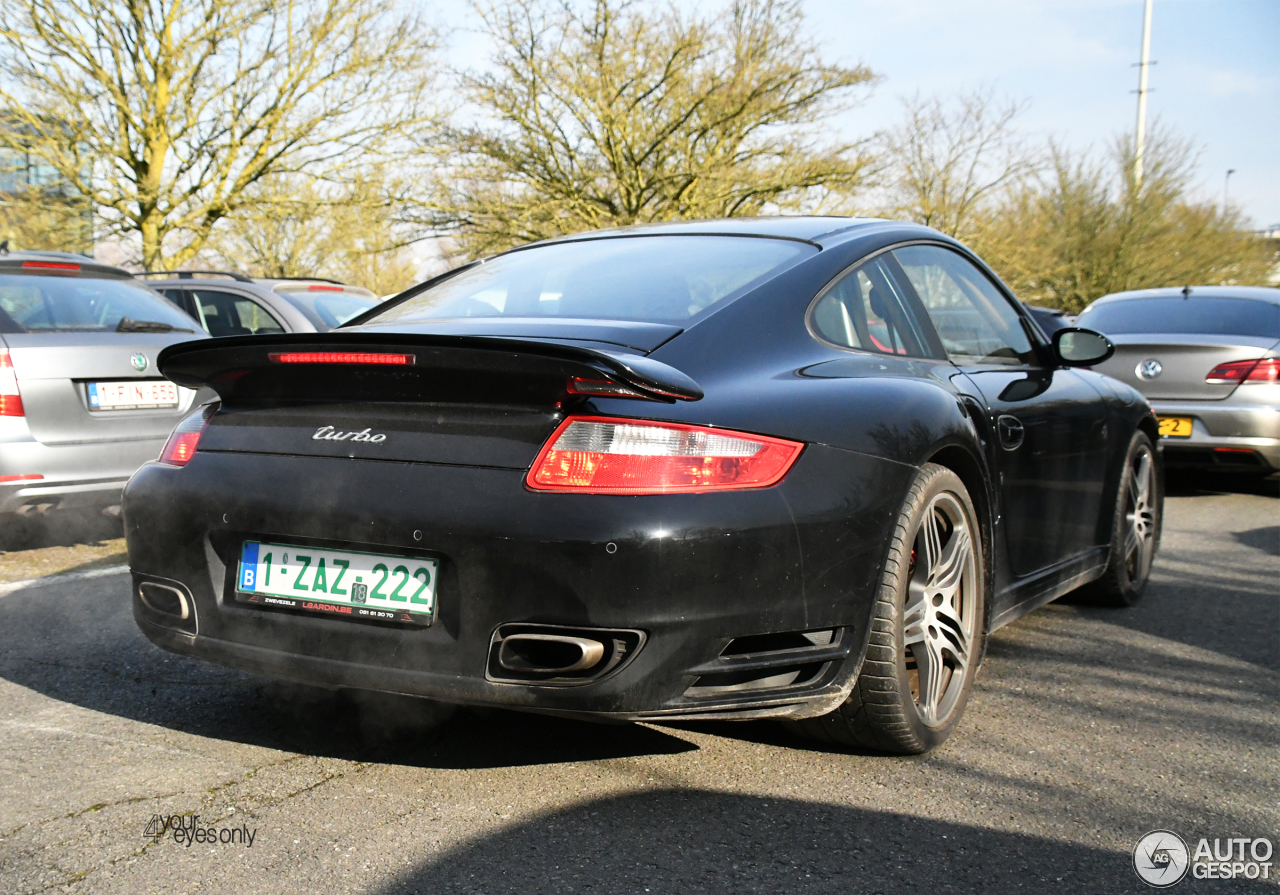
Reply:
x=74, y=476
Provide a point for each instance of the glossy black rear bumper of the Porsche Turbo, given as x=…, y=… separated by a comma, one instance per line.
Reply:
x=692, y=573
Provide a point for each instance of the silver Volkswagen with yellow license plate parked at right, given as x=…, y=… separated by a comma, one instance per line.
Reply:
x=1209, y=360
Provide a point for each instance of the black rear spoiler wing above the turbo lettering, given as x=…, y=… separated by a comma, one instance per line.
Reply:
x=222, y=364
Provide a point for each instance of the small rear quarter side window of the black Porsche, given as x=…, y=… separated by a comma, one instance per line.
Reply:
x=865, y=310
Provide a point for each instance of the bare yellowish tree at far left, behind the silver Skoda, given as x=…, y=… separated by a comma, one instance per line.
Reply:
x=166, y=113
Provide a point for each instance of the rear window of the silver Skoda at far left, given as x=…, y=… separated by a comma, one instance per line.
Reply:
x=81, y=304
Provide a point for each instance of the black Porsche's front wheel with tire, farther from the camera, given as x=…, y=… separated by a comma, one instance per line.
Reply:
x=1136, y=528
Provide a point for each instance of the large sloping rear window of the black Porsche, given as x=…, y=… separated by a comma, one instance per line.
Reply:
x=655, y=280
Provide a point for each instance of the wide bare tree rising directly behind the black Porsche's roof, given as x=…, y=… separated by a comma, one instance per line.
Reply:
x=610, y=116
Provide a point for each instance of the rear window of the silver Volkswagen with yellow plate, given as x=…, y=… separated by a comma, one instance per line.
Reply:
x=1192, y=317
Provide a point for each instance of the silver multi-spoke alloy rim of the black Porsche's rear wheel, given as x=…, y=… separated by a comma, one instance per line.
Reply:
x=940, y=615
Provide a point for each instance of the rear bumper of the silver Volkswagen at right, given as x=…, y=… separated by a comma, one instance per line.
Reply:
x=1249, y=435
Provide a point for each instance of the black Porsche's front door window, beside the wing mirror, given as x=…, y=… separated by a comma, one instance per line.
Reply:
x=975, y=321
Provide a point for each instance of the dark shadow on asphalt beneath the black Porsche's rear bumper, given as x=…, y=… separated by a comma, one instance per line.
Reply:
x=77, y=643
